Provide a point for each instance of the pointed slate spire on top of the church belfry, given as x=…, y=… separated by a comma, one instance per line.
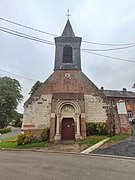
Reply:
x=68, y=31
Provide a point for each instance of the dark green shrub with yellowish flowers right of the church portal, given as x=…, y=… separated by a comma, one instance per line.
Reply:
x=96, y=129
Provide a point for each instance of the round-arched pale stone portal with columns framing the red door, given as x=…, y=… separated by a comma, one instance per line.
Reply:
x=66, y=112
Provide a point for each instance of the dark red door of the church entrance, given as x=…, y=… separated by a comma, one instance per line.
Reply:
x=68, y=130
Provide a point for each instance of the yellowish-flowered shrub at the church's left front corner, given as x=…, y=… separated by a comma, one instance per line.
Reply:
x=24, y=138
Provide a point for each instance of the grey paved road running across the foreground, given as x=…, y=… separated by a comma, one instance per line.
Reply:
x=22, y=165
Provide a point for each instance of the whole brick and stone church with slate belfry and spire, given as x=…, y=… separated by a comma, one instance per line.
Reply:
x=68, y=99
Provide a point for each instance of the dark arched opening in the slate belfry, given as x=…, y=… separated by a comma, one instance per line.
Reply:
x=67, y=54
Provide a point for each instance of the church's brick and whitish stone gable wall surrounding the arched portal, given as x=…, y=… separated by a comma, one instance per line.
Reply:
x=65, y=85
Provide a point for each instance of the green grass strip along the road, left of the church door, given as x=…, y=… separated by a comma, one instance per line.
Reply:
x=11, y=143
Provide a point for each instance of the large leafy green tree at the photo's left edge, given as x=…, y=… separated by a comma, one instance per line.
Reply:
x=10, y=96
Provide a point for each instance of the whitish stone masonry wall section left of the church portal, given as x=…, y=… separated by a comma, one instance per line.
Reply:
x=38, y=113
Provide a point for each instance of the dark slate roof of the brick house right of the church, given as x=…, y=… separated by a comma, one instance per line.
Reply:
x=119, y=94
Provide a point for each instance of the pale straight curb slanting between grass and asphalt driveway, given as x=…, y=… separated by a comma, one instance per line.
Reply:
x=95, y=146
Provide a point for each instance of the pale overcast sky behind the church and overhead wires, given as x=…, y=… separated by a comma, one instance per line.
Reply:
x=103, y=21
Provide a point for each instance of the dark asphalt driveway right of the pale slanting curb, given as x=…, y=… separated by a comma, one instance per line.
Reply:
x=123, y=148
